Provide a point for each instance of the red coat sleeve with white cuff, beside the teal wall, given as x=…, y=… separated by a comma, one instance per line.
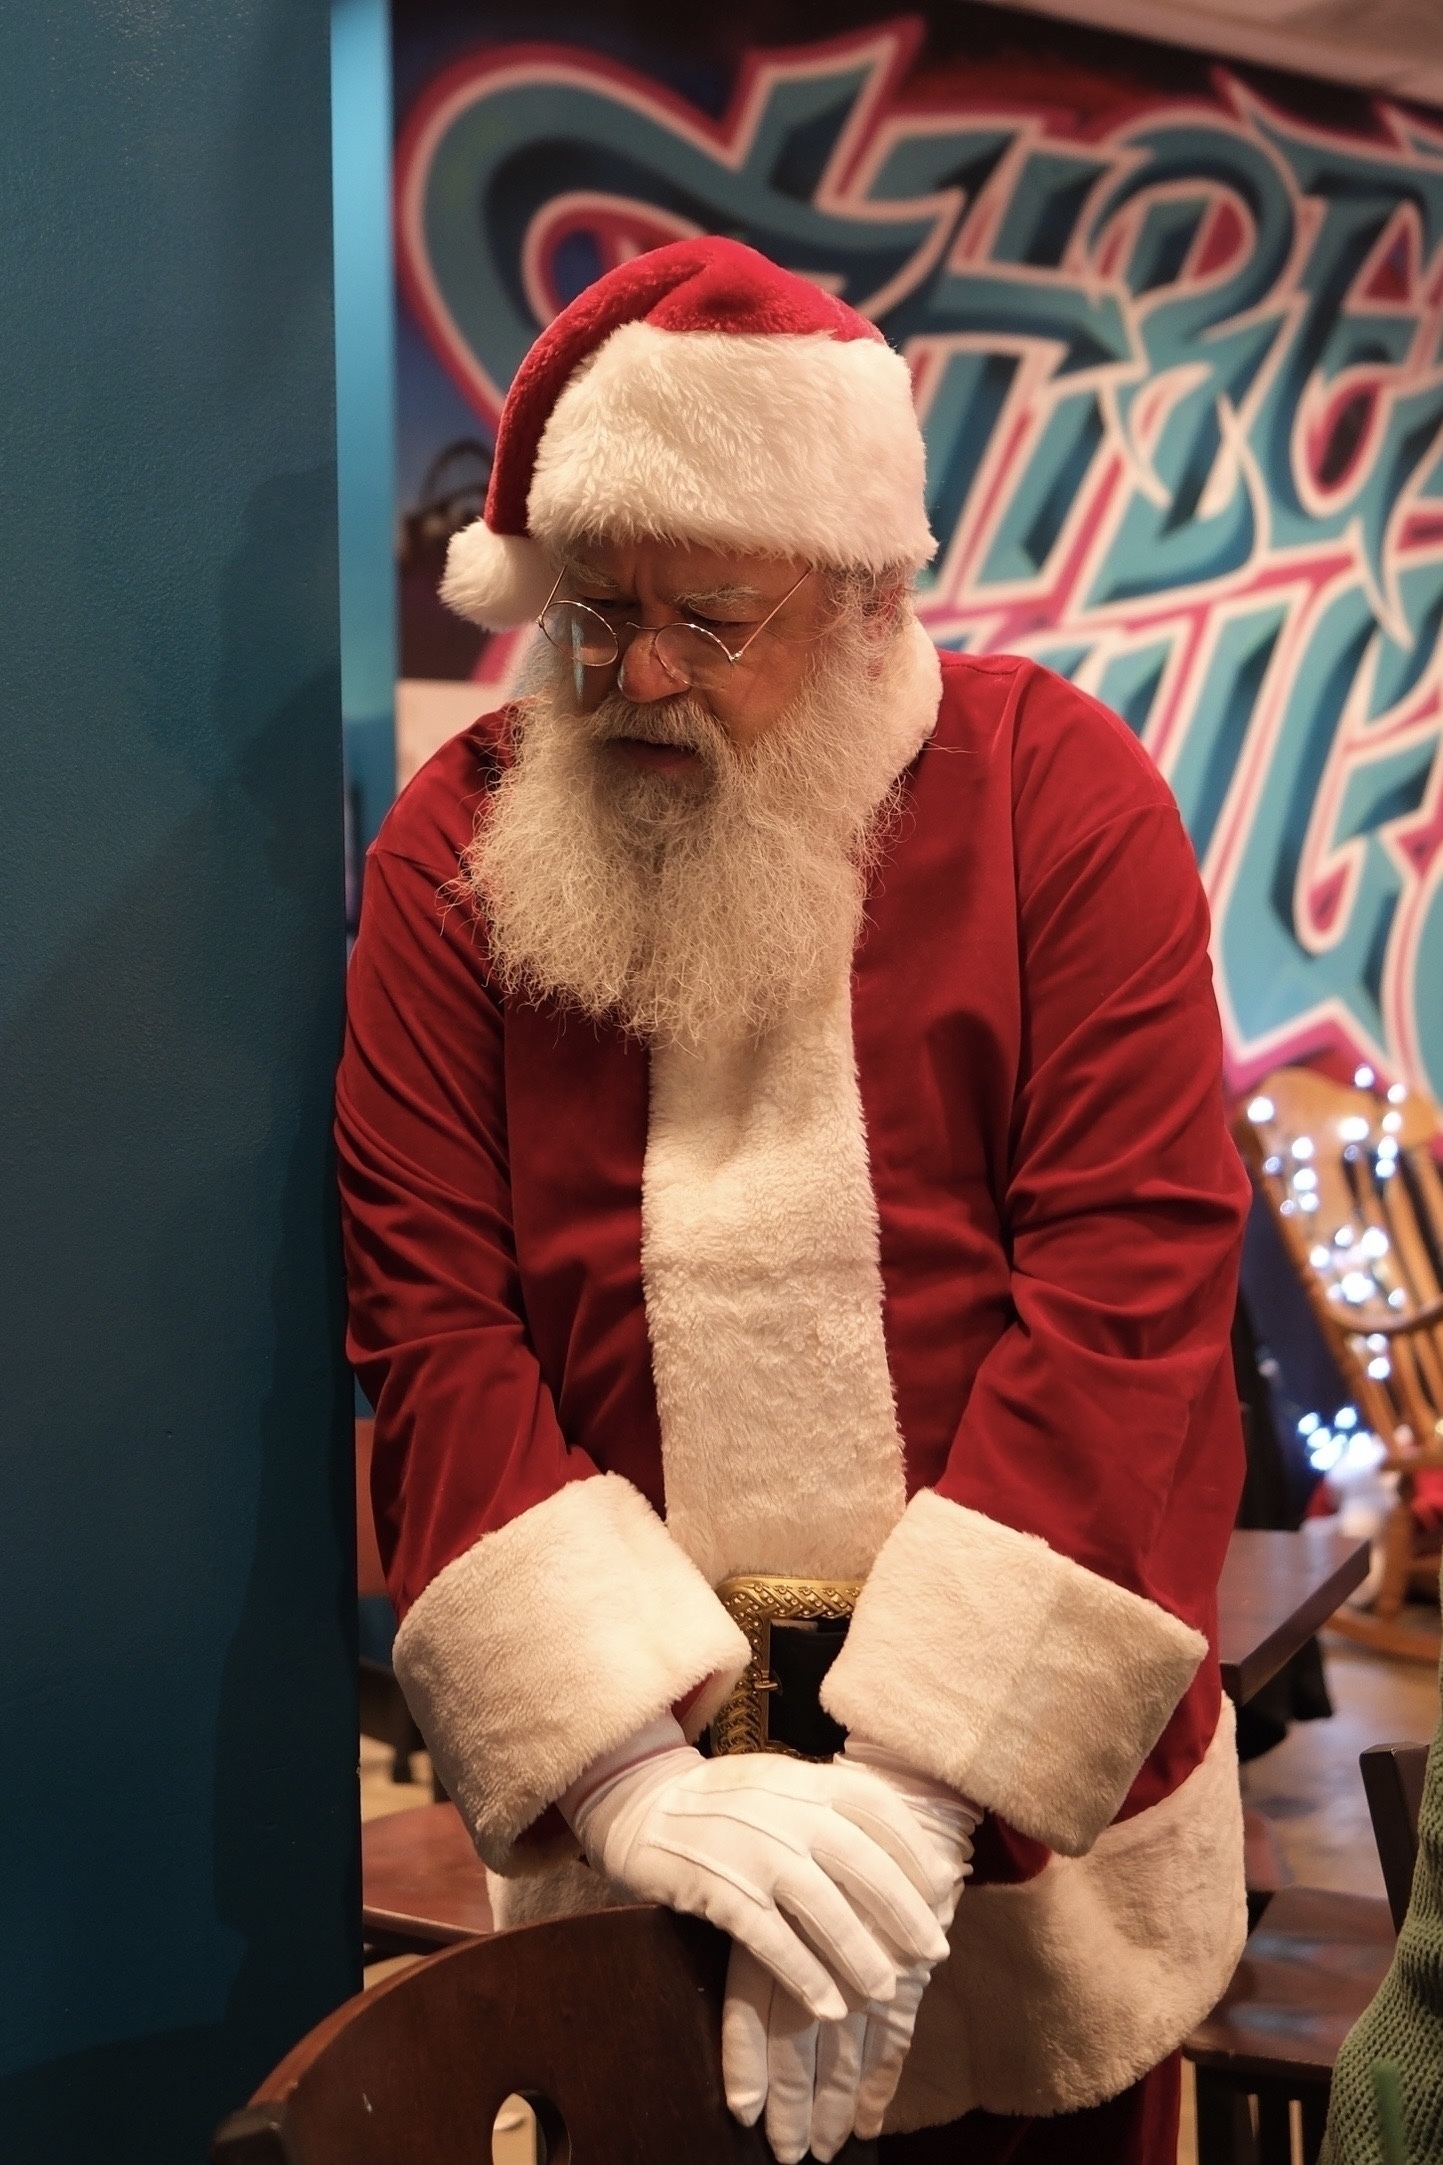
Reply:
x=546, y=1612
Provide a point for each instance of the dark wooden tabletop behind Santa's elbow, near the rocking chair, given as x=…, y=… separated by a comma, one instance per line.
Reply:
x=1275, y=1592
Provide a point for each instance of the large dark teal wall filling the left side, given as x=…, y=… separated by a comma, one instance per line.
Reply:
x=178, y=1815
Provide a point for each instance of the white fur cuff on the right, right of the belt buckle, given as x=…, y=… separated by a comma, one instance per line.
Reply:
x=1011, y=1672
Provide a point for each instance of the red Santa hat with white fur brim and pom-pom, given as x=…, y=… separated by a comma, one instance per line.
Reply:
x=698, y=395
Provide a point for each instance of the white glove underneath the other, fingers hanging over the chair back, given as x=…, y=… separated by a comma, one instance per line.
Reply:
x=828, y=2082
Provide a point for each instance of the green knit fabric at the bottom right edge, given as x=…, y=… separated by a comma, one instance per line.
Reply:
x=1403, y=2021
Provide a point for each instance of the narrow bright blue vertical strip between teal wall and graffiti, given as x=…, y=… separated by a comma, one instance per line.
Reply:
x=367, y=397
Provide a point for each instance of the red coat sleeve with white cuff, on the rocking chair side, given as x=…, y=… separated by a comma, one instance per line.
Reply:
x=1020, y=1633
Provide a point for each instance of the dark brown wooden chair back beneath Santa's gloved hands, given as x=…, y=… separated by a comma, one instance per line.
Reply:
x=609, y=2025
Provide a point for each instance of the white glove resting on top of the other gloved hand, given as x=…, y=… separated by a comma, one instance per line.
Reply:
x=760, y=1846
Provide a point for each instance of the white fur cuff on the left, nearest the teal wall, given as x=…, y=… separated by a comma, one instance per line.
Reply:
x=548, y=1644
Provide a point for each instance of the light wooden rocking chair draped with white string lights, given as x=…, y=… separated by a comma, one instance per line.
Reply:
x=1358, y=1198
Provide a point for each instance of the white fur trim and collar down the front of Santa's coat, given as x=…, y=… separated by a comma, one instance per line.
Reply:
x=763, y=1281
